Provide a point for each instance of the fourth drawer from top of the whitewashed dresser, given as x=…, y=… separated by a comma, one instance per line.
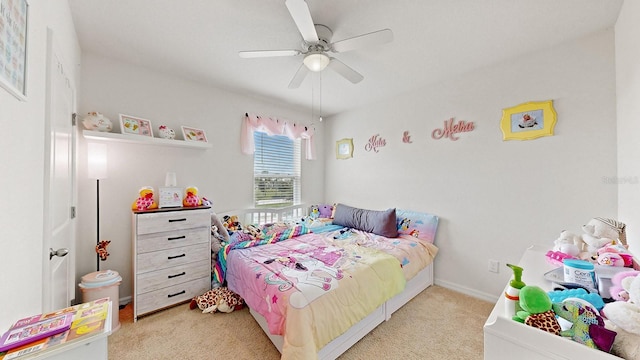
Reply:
x=155, y=280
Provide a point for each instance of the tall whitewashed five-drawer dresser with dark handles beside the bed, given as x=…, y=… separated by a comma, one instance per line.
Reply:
x=172, y=257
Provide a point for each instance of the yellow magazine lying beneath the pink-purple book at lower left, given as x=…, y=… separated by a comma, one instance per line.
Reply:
x=86, y=319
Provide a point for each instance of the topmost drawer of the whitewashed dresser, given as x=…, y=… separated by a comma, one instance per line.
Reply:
x=172, y=220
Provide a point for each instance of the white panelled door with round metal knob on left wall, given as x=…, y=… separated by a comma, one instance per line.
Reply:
x=59, y=227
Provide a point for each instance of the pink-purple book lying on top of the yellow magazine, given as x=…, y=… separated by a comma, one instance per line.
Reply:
x=34, y=328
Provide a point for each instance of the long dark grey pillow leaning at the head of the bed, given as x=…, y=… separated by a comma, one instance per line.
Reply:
x=378, y=222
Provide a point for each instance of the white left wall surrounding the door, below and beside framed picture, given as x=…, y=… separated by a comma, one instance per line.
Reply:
x=22, y=156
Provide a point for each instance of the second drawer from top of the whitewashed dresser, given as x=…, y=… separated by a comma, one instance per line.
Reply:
x=173, y=239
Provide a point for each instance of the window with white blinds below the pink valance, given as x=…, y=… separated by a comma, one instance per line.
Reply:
x=276, y=170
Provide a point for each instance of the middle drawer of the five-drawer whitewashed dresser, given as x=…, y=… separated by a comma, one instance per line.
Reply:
x=163, y=259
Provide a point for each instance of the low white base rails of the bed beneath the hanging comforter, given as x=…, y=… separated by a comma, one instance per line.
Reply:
x=339, y=345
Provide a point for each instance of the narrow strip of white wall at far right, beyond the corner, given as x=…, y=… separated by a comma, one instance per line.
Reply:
x=628, y=112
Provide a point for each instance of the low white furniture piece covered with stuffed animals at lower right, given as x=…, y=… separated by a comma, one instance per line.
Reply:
x=507, y=339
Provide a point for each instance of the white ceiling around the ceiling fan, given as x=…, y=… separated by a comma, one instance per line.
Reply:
x=433, y=40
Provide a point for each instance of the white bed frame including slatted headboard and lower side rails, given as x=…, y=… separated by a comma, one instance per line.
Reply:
x=339, y=345
